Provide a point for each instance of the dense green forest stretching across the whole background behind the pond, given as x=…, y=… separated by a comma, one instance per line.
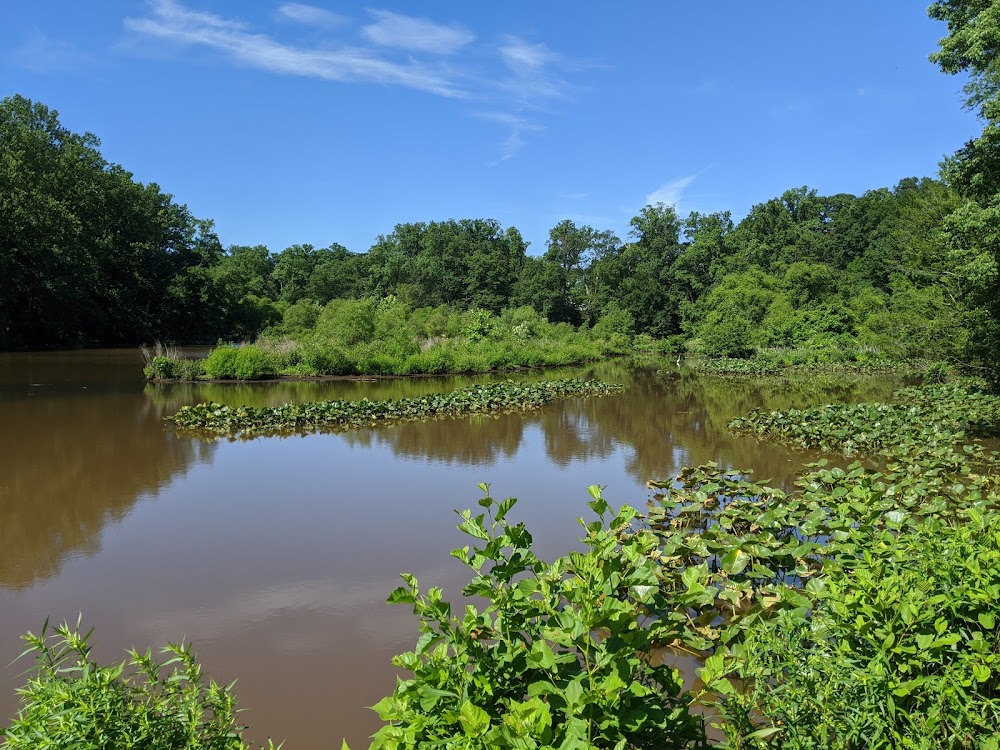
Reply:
x=89, y=256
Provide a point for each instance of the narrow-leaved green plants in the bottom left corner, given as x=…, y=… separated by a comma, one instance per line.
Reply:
x=71, y=701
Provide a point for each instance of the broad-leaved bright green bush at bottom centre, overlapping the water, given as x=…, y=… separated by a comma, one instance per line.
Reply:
x=557, y=658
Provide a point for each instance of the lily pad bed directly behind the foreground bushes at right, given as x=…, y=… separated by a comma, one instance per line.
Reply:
x=732, y=551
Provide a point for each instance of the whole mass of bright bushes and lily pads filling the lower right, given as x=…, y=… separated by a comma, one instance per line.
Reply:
x=858, y=610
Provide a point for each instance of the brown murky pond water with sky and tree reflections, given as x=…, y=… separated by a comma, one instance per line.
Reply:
x=274, y=556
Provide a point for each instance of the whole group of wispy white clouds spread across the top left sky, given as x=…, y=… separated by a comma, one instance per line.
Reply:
x=518, y=86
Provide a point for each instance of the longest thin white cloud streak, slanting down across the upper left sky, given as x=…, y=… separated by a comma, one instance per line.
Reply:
x=172, y=21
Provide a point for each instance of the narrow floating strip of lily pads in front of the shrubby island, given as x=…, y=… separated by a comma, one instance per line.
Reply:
x=247, y=421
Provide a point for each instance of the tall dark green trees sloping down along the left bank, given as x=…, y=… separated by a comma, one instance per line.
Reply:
x=87, y=255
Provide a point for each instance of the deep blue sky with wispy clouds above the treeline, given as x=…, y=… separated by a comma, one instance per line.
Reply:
x=331, y=122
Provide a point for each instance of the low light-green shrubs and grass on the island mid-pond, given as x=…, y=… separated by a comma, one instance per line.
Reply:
x=383, y=337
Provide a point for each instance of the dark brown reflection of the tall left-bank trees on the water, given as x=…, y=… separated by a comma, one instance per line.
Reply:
x=78, y=450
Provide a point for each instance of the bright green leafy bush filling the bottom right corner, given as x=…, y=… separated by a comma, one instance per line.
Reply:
x=902, y=648
